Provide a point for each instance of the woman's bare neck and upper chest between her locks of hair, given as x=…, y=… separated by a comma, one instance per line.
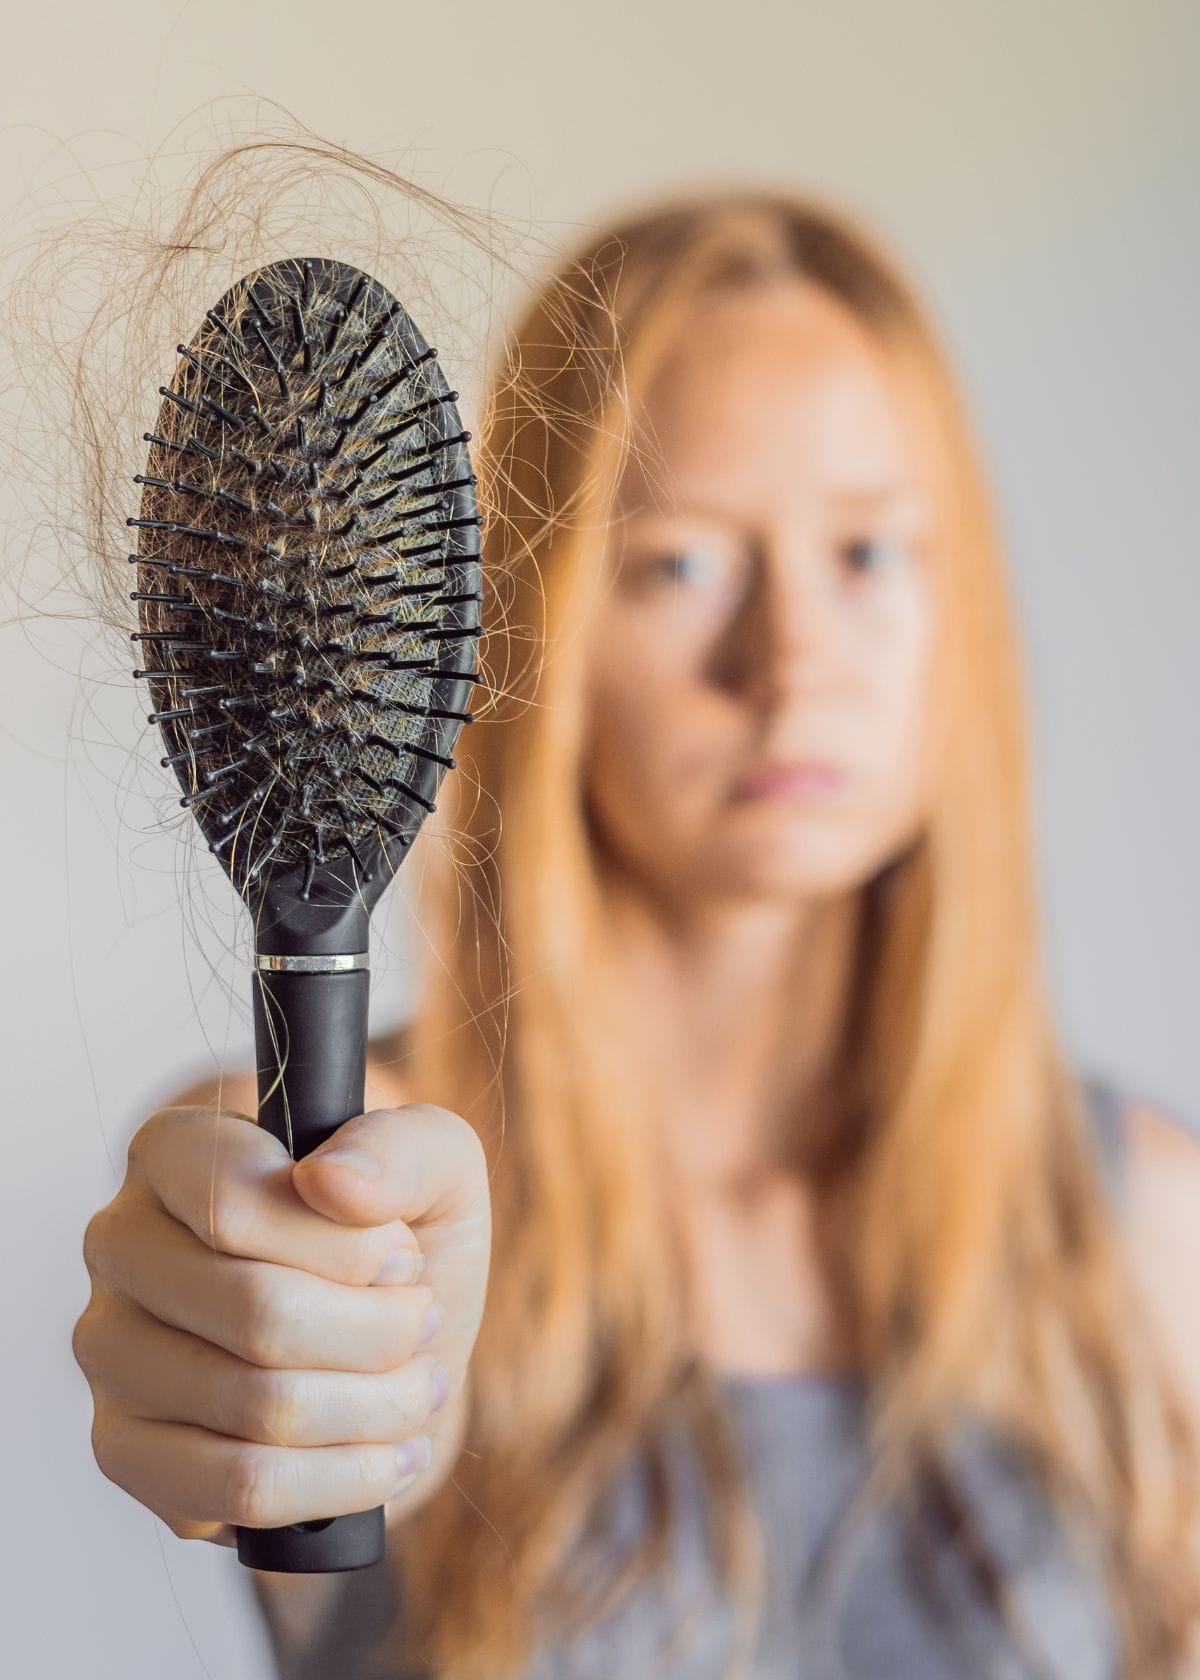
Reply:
x=742, y=1017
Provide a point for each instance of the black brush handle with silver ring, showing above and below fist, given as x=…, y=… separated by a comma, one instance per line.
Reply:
x=310, y=1034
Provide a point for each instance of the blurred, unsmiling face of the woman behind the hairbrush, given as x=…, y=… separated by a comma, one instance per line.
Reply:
x=757, y=676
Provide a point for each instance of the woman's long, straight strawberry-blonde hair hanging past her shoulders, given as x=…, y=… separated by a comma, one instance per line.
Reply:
x=967, y=1236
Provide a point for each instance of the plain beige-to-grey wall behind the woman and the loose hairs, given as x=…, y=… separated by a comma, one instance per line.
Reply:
x=1036, y=165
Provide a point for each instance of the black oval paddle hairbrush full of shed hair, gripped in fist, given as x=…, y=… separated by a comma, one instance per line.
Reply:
x=308, y=596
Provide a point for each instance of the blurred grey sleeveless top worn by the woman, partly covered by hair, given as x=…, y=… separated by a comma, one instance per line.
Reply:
x=892, y=1610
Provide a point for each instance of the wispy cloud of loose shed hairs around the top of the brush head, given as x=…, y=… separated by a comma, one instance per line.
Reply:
x=97, y=298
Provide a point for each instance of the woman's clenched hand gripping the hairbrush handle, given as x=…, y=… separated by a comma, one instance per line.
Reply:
x=271, y=1341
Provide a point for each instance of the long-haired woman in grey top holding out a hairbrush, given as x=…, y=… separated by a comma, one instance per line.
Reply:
x=836, y=1325
